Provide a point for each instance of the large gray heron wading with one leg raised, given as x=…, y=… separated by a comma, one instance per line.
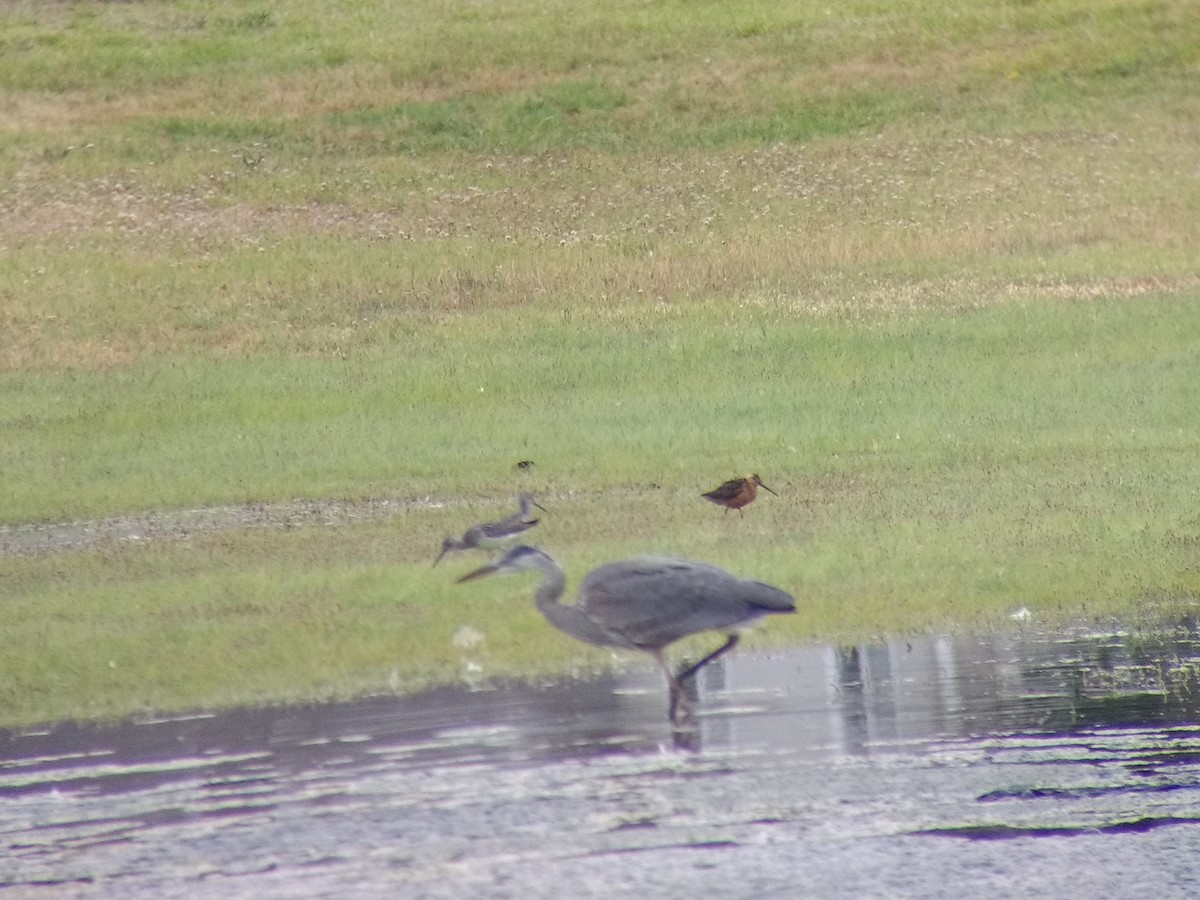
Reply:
x=646, y=604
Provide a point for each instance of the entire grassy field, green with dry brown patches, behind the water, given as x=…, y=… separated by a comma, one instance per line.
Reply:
x=929, y=268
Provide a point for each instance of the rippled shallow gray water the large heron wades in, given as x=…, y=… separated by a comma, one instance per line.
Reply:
x=1012, y=766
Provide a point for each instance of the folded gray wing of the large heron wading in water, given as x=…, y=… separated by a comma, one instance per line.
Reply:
x=653, y=602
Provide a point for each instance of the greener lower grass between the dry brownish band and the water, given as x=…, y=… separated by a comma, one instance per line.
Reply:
x=934, y=472
